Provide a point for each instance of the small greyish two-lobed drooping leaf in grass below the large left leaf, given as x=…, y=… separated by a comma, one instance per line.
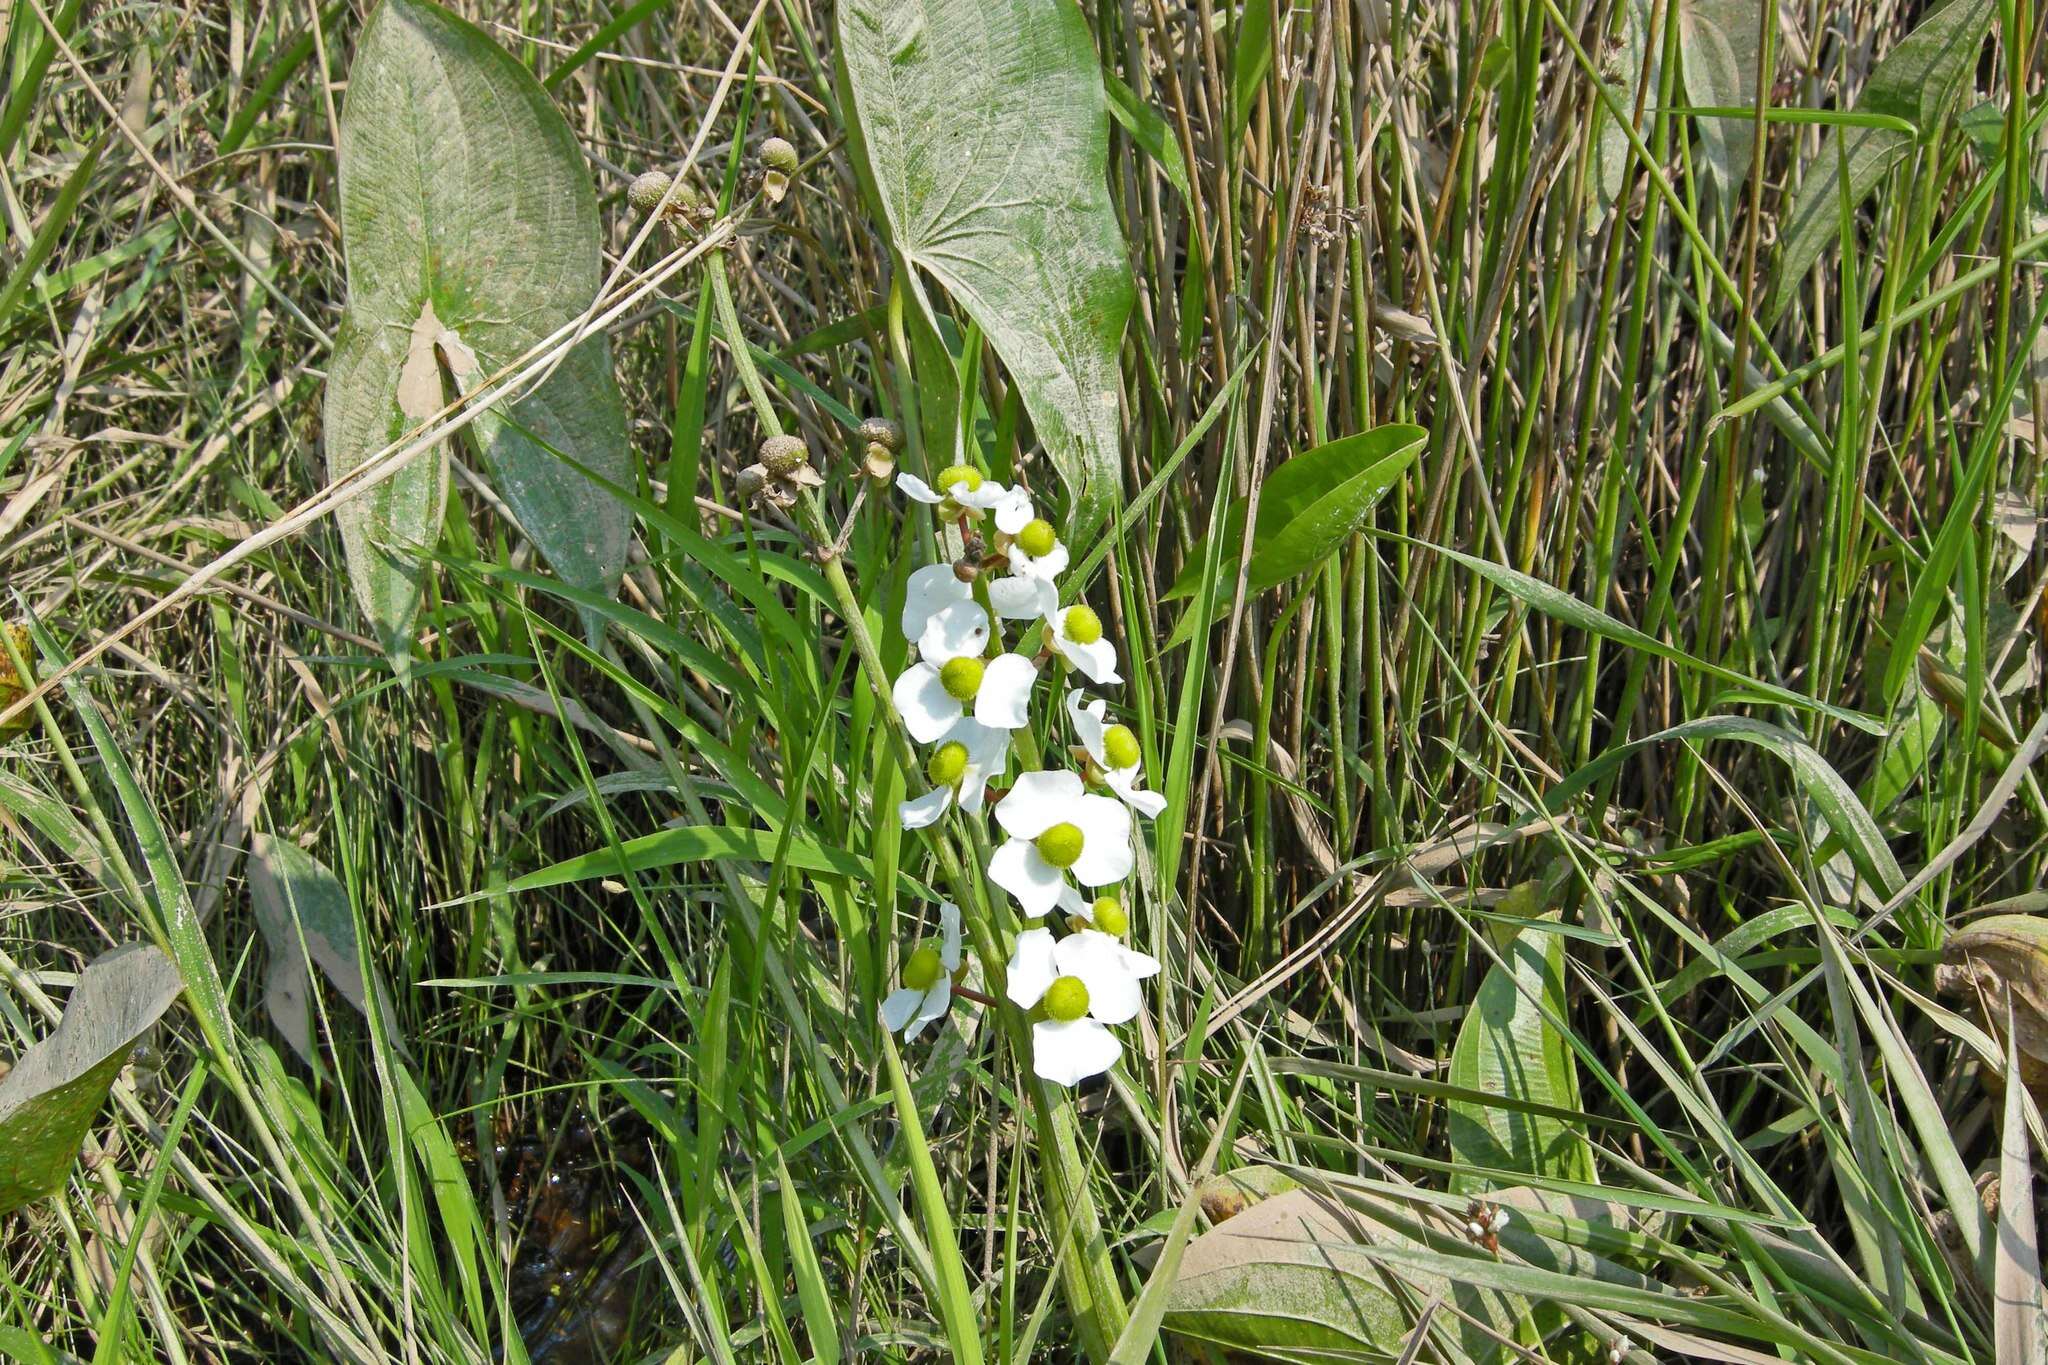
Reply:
x=304, y=914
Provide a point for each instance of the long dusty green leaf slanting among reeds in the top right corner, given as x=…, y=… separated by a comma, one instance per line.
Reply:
x=1916, y=81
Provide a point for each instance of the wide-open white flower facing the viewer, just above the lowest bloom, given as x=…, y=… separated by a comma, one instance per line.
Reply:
x=1056, y=830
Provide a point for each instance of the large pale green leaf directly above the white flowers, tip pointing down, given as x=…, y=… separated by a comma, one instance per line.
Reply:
x=984, y=134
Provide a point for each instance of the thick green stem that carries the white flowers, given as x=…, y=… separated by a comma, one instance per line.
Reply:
x=1086, y=1272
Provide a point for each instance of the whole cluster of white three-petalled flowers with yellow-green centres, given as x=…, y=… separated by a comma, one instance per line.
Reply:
x=964, y=699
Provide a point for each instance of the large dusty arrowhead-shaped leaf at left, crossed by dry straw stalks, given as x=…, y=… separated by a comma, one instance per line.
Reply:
x=468, y=222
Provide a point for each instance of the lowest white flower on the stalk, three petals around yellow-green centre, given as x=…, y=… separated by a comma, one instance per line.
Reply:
x=1086, y=981
